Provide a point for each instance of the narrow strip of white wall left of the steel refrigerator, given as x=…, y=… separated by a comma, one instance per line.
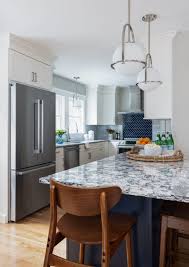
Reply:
x=4, y=132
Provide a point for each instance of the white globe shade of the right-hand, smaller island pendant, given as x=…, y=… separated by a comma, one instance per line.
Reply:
x=148, y=79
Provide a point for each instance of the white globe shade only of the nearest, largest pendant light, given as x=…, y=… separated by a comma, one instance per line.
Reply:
x=134, y=59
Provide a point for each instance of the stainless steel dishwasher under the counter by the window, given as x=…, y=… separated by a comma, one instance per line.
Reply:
x=71, y=156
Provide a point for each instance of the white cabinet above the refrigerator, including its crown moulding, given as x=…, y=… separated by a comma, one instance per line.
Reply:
x=29, y=64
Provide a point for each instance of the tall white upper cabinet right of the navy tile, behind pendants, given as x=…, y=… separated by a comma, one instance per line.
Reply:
x=158, y=103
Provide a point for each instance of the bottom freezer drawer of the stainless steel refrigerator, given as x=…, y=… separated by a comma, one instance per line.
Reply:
x=27, y=194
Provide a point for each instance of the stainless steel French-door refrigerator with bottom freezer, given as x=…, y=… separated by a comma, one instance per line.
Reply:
x=32, y=148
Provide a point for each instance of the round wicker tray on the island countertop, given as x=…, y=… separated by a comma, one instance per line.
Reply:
x=178, y=156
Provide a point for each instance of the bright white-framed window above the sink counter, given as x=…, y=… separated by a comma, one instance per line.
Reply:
x=68, y=116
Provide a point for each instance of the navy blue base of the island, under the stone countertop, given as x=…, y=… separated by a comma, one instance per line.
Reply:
x=146, y=235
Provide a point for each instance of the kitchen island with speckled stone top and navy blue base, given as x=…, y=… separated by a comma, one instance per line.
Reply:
x=144, y=185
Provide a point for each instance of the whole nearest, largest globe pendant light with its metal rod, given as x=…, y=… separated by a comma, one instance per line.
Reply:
x=129, y=57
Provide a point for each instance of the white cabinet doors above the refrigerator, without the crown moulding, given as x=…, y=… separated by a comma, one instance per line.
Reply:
x=27, y=70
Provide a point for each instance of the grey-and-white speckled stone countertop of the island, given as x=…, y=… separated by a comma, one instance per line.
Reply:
x=168, y=181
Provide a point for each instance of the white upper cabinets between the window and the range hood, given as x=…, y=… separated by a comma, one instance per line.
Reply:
x=101, y=105
